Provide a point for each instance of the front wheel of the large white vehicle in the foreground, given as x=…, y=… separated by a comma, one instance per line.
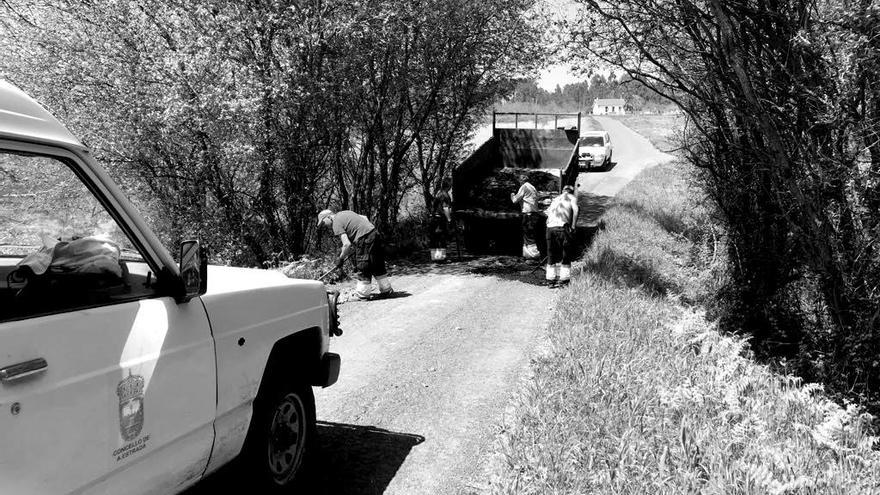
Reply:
x=281, y=437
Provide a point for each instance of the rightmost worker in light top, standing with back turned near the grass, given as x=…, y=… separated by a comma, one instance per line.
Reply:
x=561, y=216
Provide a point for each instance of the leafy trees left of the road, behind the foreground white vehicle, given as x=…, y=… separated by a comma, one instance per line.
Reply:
x=237, y=120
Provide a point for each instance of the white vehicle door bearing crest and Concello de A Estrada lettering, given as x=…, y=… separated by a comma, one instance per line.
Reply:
x=106, y=384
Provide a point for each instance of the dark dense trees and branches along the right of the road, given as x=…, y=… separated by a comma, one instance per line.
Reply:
x=783, y=104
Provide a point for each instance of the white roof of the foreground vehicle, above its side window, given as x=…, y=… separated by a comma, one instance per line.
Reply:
x=22, y=117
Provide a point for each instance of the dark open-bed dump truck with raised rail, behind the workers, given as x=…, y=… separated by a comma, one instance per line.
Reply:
x=545, y=156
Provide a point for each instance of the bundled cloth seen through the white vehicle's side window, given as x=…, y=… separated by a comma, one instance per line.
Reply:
x=87, y=255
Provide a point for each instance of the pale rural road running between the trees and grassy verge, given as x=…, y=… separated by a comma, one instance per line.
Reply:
x=426, y=376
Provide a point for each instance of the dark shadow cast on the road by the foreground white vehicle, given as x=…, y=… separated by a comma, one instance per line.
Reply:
x=349, y=459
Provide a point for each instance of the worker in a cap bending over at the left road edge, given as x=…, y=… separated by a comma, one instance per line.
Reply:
x=356, y=230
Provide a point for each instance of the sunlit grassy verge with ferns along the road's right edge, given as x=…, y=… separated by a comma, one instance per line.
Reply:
x=638, y=393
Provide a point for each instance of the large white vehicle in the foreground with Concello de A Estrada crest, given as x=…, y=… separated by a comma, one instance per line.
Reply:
x=122, y=371
